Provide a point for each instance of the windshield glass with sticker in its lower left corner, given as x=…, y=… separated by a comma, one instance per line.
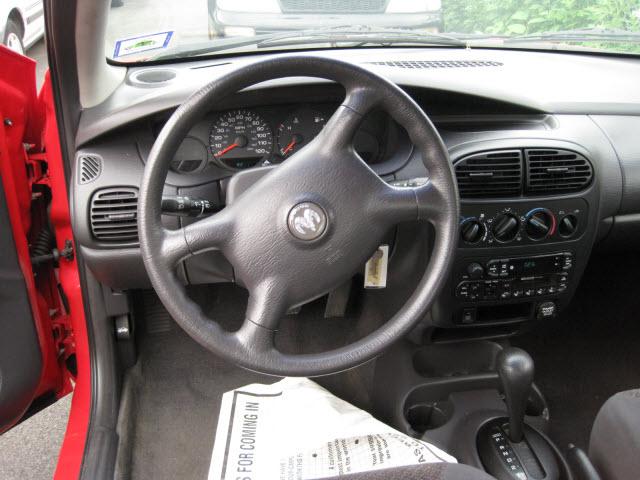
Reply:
x=146, y=30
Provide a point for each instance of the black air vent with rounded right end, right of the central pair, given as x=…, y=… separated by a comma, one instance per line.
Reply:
x=551, y=171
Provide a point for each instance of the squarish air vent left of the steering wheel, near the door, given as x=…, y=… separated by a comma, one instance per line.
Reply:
x=114, y=214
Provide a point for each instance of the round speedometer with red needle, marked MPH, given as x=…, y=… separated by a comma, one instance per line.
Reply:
x=240, y=139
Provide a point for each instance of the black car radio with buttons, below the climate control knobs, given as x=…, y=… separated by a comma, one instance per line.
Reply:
x=512, y=278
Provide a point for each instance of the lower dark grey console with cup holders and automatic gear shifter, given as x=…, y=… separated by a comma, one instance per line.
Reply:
x=477, y=401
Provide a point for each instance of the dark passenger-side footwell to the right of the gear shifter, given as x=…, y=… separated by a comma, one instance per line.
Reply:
x=592, y=351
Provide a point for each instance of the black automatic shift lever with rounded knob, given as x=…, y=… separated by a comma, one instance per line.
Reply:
x=515, y=369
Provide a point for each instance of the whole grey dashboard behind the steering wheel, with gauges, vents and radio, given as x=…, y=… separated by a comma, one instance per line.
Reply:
x=546, y=163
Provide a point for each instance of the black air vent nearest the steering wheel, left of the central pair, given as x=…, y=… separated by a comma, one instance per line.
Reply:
x=490, y=174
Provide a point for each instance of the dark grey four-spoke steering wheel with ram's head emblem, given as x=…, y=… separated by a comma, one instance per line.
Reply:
x=304, y=228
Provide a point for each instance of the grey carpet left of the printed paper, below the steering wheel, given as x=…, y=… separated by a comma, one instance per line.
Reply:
x=173, y=396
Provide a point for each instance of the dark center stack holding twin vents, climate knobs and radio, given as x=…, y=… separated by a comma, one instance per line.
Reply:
x=519, y=258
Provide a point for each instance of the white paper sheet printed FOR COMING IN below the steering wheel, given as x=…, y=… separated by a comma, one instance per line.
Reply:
x=297, y=430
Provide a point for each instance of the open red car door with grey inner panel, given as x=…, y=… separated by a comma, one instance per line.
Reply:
x=37, y=350
